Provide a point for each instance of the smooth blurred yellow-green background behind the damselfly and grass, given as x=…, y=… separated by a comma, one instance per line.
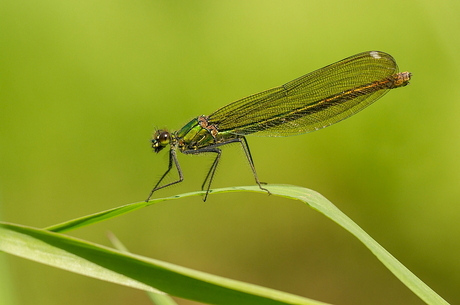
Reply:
x=83, y=84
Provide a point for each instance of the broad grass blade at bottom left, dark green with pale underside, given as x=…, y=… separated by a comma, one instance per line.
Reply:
x=135, y=271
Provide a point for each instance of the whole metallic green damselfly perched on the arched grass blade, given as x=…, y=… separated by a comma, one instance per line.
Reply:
x=308, y=103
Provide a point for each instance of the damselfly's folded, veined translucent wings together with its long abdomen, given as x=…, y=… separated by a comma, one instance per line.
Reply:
x=315, y=100
